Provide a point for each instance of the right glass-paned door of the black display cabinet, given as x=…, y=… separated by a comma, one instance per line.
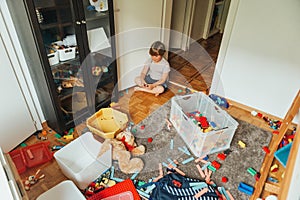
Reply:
x=100, y=51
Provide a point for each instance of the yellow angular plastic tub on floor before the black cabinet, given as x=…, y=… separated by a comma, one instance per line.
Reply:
x=107, y=122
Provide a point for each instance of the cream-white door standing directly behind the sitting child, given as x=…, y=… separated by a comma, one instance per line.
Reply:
x=138, y=24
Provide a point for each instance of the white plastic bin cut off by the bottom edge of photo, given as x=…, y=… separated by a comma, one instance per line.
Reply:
x=65, y=190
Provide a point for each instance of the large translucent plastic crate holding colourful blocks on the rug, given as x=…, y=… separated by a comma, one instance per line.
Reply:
x=201, y=143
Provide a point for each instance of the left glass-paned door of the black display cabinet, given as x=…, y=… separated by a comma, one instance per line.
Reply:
x=58, y=29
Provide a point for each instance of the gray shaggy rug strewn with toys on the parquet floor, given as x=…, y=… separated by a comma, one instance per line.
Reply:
x=234, y=167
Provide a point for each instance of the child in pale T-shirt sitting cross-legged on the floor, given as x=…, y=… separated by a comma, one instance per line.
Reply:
x=155, y=74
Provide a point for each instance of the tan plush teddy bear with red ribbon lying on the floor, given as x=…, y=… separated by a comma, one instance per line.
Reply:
x=123, y=146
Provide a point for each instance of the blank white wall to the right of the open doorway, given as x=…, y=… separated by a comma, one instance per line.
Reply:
x=259, y=66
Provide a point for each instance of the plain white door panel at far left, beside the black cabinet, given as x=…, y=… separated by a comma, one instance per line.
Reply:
x=16, y=121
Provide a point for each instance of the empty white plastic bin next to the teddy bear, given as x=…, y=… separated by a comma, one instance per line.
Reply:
x=79, y=162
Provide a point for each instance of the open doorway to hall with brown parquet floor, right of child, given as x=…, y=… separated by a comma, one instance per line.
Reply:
x=197, y=32
